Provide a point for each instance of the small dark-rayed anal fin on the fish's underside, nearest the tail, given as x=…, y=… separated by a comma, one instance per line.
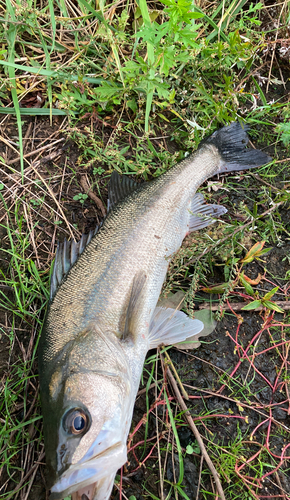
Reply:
x=201, y=214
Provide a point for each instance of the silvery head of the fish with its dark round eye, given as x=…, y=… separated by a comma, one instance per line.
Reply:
x=87, y=411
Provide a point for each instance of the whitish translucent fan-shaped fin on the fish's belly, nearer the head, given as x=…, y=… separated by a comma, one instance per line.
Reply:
x=169, y=326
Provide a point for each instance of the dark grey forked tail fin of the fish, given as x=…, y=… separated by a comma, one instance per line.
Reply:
x=231, y=142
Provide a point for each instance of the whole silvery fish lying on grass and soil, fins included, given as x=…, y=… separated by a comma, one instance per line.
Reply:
x=103, y=315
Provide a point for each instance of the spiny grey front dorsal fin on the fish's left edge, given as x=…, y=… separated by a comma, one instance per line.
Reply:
x=67, y=253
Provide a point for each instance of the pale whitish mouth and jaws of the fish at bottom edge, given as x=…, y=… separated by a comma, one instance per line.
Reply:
x=93, y=479
